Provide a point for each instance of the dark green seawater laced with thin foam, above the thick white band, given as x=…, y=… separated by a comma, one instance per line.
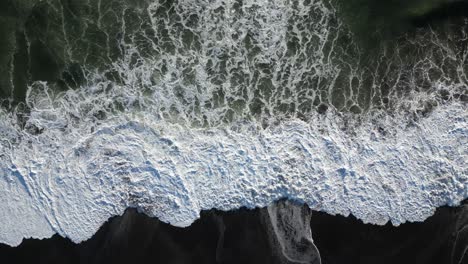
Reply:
x=366, y=61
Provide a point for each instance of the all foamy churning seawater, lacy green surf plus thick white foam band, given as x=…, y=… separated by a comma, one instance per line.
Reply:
x=174, y=107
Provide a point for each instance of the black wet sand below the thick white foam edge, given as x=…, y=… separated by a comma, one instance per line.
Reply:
x=242, y=237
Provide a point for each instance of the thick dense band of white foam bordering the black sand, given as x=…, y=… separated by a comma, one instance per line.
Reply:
x=70, y=183
